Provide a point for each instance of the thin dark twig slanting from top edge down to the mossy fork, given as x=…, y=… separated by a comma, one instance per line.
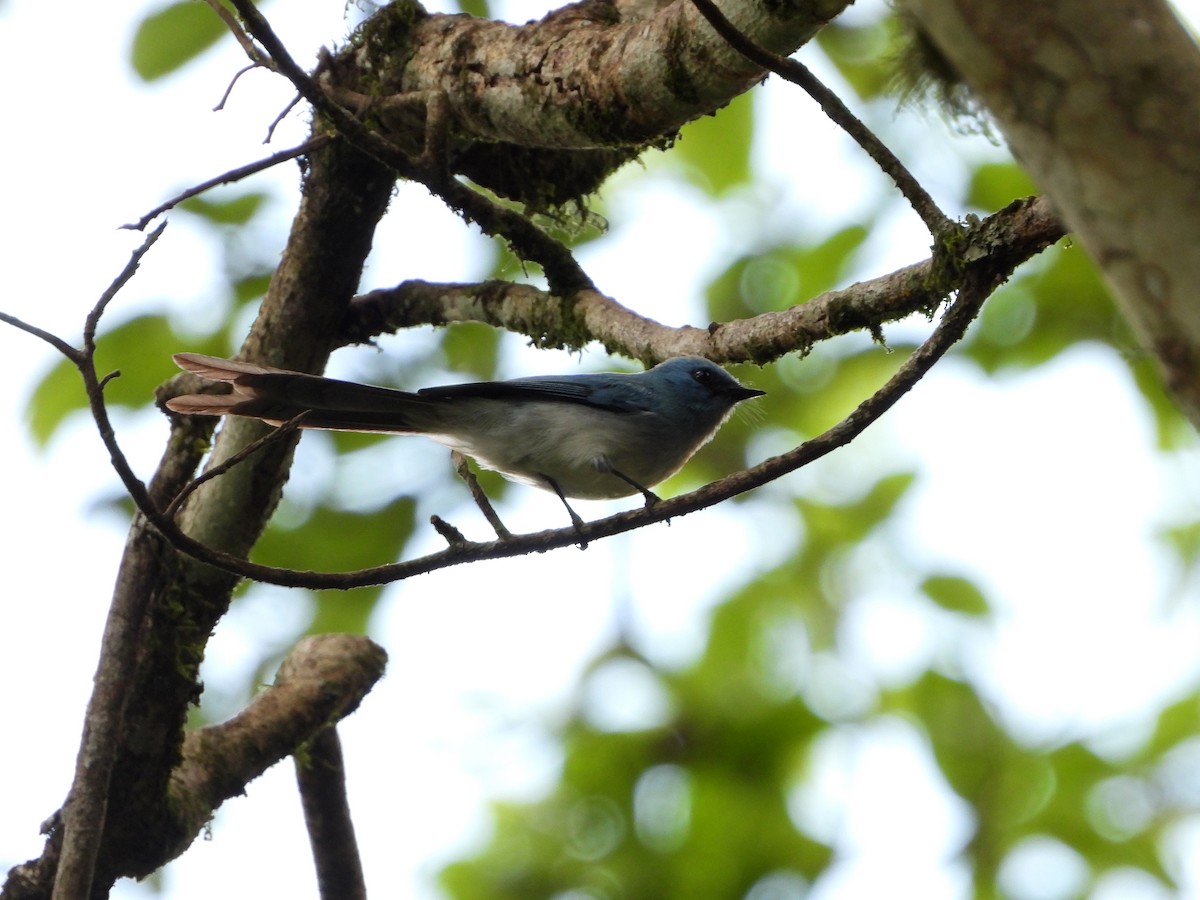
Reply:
x=938, y=223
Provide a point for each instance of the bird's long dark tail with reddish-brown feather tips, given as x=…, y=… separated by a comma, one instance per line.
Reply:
x=277, y=395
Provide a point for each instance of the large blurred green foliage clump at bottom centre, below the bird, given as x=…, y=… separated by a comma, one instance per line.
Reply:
x=699, y=806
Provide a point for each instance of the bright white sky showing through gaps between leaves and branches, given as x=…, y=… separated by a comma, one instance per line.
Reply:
x=1058, y=529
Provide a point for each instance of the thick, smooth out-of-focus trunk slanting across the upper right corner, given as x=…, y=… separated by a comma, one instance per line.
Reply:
x=1101, y=101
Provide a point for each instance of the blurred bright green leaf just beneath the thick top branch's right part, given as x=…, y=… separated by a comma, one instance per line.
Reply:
x=716, y=149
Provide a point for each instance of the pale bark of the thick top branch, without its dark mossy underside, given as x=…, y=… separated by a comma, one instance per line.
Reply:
x=583, y=77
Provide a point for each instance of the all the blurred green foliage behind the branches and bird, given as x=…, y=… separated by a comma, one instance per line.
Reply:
x=715, y=801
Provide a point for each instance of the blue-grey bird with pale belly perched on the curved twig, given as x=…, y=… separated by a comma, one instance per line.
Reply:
x=596, y=436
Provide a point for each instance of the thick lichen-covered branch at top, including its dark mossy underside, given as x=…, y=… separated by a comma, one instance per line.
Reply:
x=544, y=112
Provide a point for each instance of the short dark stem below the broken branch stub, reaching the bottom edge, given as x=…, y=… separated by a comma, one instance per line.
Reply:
x=321, y=776
